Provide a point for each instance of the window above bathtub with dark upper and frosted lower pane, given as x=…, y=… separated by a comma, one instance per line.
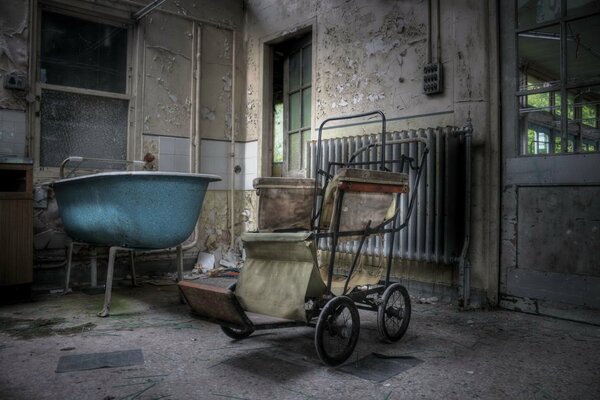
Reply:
x=83, y=79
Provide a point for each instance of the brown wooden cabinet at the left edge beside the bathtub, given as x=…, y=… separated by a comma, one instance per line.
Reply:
x=16, y=223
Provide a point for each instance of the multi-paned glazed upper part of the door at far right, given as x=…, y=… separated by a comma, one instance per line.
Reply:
x=559, y=75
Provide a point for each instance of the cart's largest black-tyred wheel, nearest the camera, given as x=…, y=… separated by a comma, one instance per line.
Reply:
x=336, y=306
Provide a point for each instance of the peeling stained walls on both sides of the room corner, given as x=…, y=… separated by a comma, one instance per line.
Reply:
x=188, y=60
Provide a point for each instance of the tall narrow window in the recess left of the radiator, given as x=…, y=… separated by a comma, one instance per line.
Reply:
x=292, y=97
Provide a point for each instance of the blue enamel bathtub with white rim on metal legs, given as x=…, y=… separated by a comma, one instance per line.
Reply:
x=138, y=210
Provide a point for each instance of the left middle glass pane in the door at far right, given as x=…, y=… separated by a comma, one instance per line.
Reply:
x=539, y=57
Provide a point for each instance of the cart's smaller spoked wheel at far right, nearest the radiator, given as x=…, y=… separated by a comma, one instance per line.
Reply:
x=393, y=314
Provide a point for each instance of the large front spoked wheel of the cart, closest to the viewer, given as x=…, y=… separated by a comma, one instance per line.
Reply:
x=337, y=330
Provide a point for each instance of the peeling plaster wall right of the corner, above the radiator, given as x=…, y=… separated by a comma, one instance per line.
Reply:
x=369, y=55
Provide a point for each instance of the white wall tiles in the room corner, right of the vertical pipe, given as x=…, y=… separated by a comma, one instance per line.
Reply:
x=215, y=159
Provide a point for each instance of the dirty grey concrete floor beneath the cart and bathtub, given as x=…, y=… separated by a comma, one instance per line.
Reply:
x=456, y=355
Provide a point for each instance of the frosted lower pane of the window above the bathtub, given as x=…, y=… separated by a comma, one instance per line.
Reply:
x=81, y=125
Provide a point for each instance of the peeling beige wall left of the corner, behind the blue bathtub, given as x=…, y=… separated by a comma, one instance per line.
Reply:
x=180, y=66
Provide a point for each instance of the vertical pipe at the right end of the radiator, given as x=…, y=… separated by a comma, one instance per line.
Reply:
x=464, y=265
